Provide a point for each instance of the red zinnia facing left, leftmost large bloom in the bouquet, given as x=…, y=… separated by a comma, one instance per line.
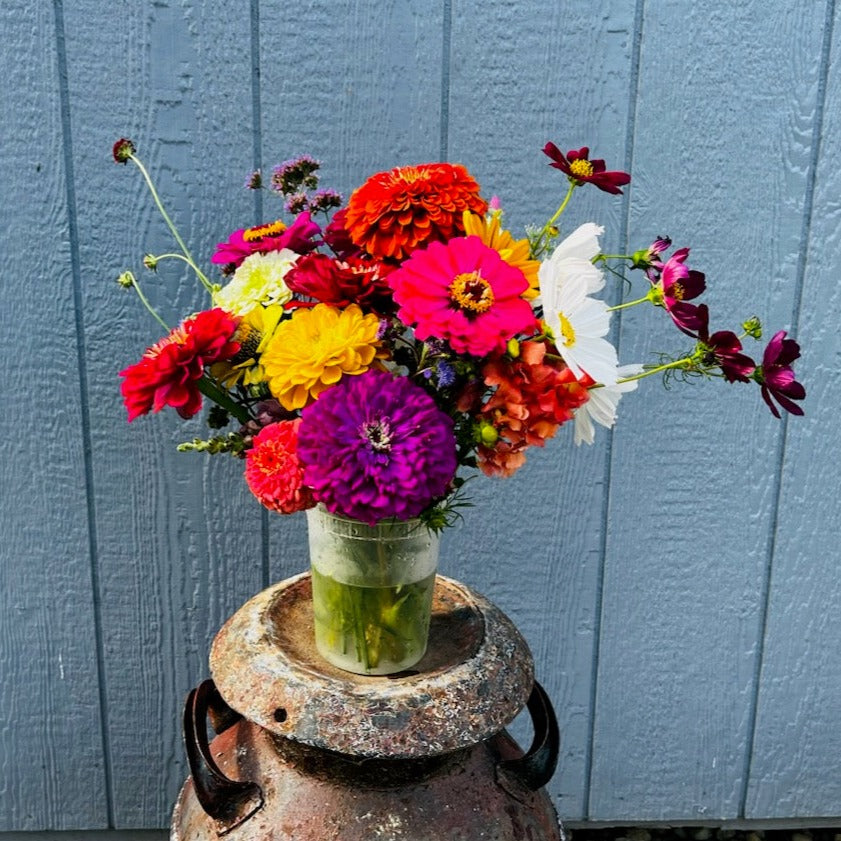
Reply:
x=169, y=371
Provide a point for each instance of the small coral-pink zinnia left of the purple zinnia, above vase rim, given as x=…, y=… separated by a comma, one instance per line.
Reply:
x=273, y=472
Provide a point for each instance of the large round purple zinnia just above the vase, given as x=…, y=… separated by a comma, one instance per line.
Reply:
x=376, y=446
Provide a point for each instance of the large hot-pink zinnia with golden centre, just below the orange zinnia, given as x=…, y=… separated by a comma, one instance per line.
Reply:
x=462, y=291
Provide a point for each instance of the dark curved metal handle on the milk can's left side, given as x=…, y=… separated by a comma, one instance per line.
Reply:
x=229, y=802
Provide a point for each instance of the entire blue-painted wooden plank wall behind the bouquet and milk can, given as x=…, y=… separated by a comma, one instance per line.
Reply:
x=678, y=582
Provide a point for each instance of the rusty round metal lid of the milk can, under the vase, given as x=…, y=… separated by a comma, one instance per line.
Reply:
x=475, y=677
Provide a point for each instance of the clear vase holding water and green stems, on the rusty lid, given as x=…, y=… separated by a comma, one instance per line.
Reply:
x=371, y=590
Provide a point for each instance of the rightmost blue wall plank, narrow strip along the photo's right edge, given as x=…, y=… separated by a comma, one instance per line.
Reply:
x=794, y=768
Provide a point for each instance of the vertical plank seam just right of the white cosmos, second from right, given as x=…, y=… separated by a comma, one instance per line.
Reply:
x=630, y=133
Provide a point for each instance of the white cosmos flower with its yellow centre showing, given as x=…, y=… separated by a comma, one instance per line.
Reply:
x=577, y=322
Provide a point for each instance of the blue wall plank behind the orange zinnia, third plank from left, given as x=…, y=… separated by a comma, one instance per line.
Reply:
x=357, y=86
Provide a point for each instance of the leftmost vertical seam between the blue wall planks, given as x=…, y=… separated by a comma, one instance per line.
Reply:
x=81, y=356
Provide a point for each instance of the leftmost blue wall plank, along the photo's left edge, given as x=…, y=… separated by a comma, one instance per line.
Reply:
x=51, y=763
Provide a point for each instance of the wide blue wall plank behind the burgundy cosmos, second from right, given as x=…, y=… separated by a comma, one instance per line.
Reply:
x=721, y=152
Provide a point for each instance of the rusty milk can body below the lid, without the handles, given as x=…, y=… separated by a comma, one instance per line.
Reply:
x=316, y=795
